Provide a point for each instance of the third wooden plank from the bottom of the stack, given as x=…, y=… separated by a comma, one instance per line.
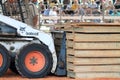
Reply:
x=92, y=61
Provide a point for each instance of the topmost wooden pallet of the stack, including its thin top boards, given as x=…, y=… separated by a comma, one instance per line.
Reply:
x=89, y=27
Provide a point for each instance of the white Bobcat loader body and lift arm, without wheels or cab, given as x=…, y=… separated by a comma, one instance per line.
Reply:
x=30, y=33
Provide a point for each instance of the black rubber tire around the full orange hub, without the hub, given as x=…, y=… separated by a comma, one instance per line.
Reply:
x=20, y=59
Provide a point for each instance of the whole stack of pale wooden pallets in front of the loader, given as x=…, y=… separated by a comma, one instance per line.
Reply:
x=93, y=50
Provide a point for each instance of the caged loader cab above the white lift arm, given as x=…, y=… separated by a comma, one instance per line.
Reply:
x=21, y=10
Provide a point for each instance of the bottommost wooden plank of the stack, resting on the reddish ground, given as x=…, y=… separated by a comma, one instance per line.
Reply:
x=92, y=75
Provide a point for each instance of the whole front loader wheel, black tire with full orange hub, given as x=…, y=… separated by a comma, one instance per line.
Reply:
x=34, y=61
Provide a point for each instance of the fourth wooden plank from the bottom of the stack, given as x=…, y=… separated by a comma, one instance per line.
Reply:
x=95, y=53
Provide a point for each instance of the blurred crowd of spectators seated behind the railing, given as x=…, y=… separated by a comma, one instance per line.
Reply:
x=79, y=7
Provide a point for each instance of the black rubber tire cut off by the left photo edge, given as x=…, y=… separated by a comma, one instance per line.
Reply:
x=6, y=60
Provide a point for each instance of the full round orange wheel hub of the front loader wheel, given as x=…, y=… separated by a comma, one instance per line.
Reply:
x=34, y=61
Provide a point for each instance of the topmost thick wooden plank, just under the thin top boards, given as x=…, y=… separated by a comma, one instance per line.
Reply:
x=97, y=29
